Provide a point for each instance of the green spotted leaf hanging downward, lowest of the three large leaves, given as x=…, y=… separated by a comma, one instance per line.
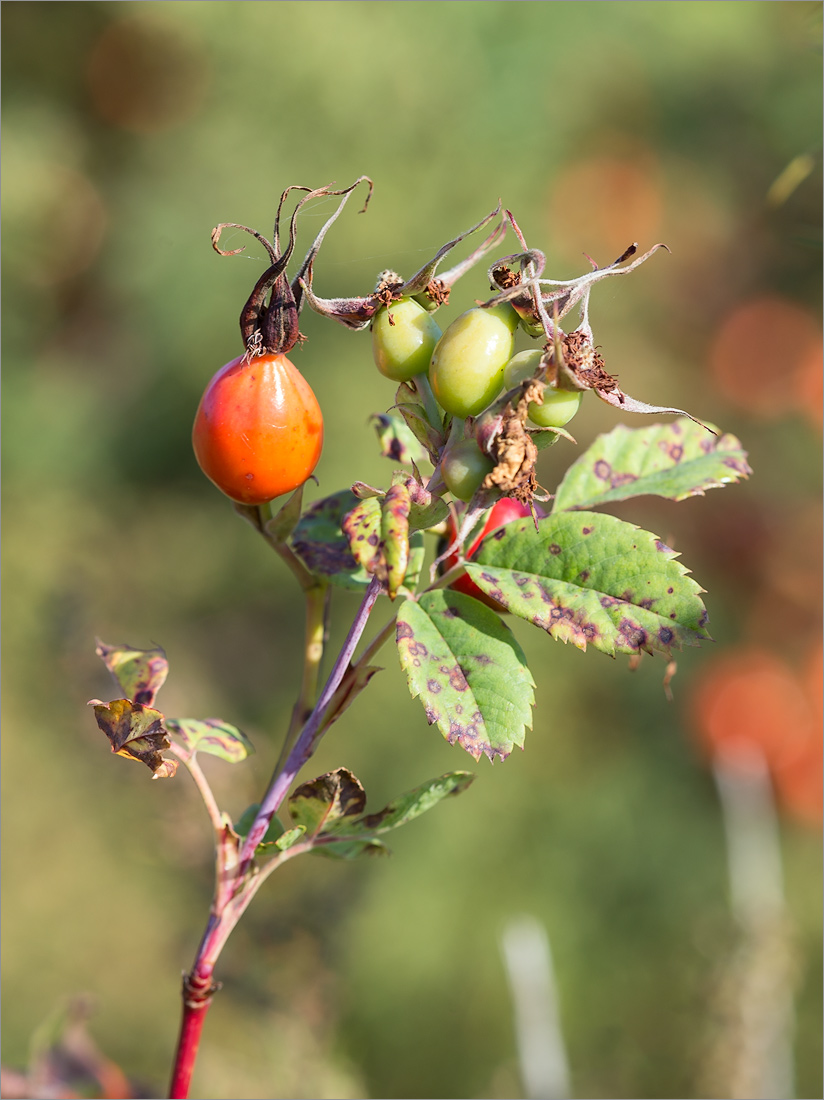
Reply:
x=468, y=670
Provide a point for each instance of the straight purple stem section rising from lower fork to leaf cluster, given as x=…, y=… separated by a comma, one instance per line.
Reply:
x=305, y=745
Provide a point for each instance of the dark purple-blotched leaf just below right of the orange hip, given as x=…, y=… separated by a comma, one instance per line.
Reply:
x=323, y=547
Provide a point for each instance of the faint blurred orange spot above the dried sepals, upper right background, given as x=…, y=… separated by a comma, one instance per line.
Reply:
x=605, y=204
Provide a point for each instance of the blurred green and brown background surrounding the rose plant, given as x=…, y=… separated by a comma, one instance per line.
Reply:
x=129, y=131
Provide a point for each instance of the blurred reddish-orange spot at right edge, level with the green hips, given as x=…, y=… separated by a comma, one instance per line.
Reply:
x=766, y=358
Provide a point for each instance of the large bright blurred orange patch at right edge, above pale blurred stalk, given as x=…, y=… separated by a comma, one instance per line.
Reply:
x=753, y=699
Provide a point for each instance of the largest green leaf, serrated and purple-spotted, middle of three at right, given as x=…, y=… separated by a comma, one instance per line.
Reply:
x=591, y=579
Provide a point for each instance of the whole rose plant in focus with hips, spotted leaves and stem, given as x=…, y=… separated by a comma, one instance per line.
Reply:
x=478, y=419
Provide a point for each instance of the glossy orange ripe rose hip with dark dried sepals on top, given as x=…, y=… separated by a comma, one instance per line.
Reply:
x=259, y=430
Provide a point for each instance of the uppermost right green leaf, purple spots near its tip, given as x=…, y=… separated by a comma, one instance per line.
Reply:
x=671, y=460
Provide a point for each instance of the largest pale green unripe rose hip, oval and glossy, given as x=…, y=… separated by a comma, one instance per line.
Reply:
x=468, y=364
